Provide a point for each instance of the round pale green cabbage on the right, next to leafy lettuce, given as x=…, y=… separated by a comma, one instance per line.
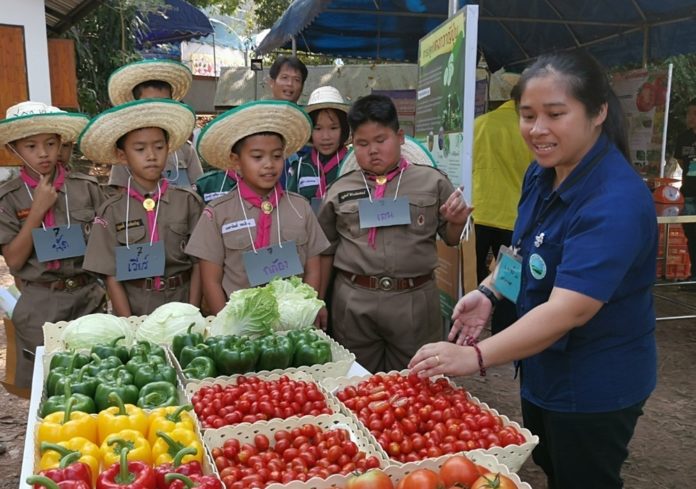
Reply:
x=169, y=320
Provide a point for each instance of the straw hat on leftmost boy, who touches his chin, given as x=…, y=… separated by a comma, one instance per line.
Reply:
x=31, y=118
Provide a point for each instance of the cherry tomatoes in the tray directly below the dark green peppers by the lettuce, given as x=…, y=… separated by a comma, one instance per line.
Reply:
x=252, y=399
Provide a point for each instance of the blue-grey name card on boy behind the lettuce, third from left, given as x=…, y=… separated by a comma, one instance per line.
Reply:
x=271, y=262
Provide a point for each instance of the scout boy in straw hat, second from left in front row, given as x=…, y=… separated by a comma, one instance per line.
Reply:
x=147, y=211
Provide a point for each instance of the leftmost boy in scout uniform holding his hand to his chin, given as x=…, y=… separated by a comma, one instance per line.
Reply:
x=44, y=196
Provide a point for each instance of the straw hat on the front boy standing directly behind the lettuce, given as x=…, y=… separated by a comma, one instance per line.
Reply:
x=285, y=118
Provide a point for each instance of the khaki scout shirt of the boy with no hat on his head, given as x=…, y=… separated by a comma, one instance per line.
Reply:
x=402, y=251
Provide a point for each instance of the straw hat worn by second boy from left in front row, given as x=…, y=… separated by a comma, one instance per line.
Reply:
x=98, y=141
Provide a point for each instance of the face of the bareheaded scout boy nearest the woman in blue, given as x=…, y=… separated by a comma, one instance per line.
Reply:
x=377, y=147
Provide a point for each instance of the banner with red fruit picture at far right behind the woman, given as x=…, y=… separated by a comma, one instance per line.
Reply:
x=644, y=96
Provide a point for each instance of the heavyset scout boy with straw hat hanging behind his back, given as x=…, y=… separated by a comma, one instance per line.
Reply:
x=385, y=302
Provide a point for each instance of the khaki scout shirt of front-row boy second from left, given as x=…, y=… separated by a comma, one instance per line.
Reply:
x=179, y=210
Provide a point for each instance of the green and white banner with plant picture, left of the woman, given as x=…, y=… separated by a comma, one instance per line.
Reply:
x=446, y=96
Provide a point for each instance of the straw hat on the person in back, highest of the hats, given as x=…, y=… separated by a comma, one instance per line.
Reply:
x=126, y=78
